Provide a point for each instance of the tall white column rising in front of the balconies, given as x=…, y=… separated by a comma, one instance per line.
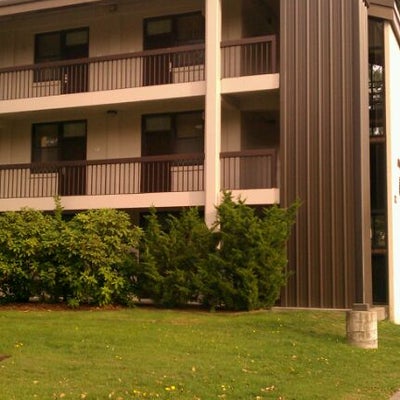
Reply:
x=212, y=109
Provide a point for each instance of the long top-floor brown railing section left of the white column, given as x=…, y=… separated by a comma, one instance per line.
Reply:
x=154, y=67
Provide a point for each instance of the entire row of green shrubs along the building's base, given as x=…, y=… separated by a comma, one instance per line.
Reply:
x=238, y=264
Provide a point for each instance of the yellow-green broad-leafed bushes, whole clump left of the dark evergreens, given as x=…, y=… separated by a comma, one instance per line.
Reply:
x=87, y=259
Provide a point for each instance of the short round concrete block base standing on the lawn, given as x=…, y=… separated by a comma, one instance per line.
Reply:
x=362, y=329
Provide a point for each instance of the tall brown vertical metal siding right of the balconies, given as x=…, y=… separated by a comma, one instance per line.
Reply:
x=323, y=117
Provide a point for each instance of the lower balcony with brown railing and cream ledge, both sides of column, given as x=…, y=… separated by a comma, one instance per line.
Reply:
x=177, y=179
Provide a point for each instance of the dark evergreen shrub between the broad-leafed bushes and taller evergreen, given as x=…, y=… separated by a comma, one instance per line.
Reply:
x=171, y=258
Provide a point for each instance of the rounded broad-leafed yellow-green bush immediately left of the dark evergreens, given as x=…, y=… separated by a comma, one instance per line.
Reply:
x=99, y=252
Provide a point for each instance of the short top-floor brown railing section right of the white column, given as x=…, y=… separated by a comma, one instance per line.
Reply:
x=251, y=56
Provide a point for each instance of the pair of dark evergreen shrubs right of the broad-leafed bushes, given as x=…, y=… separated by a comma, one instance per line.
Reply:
x=239, y=266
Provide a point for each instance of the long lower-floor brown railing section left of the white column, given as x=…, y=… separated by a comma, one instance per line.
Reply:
x=170, y=173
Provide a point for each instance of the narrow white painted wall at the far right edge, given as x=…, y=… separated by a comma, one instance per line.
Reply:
x=392, y=86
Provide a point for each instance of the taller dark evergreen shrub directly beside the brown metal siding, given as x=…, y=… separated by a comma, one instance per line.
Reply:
x=247, y=270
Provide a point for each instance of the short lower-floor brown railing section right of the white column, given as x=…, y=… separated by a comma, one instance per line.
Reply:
x=251, y=169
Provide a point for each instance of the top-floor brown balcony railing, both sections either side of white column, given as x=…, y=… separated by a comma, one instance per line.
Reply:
x=183, y=64
